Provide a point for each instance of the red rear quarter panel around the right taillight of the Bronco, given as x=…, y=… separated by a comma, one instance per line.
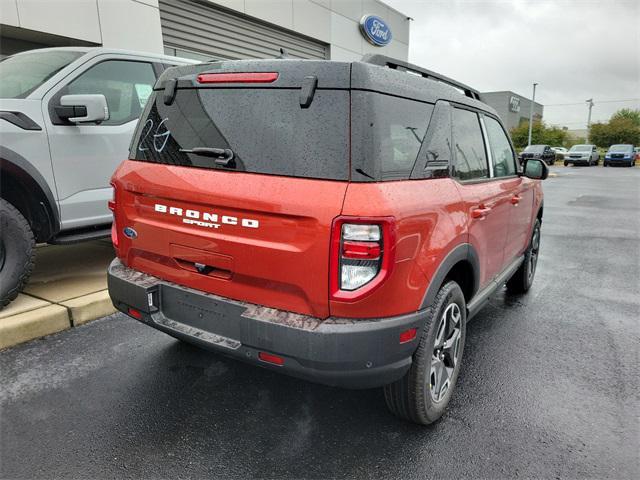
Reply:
x=430, y=221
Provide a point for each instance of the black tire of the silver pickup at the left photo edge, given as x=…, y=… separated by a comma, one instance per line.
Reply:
x=17, y=252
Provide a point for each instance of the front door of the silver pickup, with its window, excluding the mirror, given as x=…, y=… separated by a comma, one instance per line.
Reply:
x=84, y=156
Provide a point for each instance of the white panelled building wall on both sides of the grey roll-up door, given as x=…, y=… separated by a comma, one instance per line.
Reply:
x=135, y=24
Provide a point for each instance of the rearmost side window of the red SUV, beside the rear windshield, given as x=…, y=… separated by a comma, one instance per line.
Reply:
x=387, y=133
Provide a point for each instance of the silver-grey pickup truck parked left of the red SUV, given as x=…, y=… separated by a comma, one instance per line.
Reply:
x=66, y=120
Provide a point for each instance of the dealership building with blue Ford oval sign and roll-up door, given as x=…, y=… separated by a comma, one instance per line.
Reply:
x=209, y=29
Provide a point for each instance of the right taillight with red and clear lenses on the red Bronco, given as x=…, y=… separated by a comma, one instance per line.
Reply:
x=361, y=255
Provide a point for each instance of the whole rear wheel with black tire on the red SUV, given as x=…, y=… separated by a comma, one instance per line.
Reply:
x=413, y=397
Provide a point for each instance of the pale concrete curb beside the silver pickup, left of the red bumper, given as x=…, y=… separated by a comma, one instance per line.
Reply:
x=48, y=318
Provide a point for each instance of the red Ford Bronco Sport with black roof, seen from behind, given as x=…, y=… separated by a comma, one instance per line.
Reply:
x=339, y=222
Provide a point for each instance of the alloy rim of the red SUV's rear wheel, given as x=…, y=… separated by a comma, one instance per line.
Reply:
x=446, y=352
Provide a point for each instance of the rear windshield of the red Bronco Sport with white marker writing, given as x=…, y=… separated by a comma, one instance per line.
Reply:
x=266, y=130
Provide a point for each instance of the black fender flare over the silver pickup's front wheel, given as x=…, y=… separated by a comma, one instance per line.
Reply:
x=33, y=182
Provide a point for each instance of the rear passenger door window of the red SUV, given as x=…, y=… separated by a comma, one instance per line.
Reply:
x=471, y=159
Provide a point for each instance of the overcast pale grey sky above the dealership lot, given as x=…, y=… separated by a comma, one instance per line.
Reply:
x=574, y=50
